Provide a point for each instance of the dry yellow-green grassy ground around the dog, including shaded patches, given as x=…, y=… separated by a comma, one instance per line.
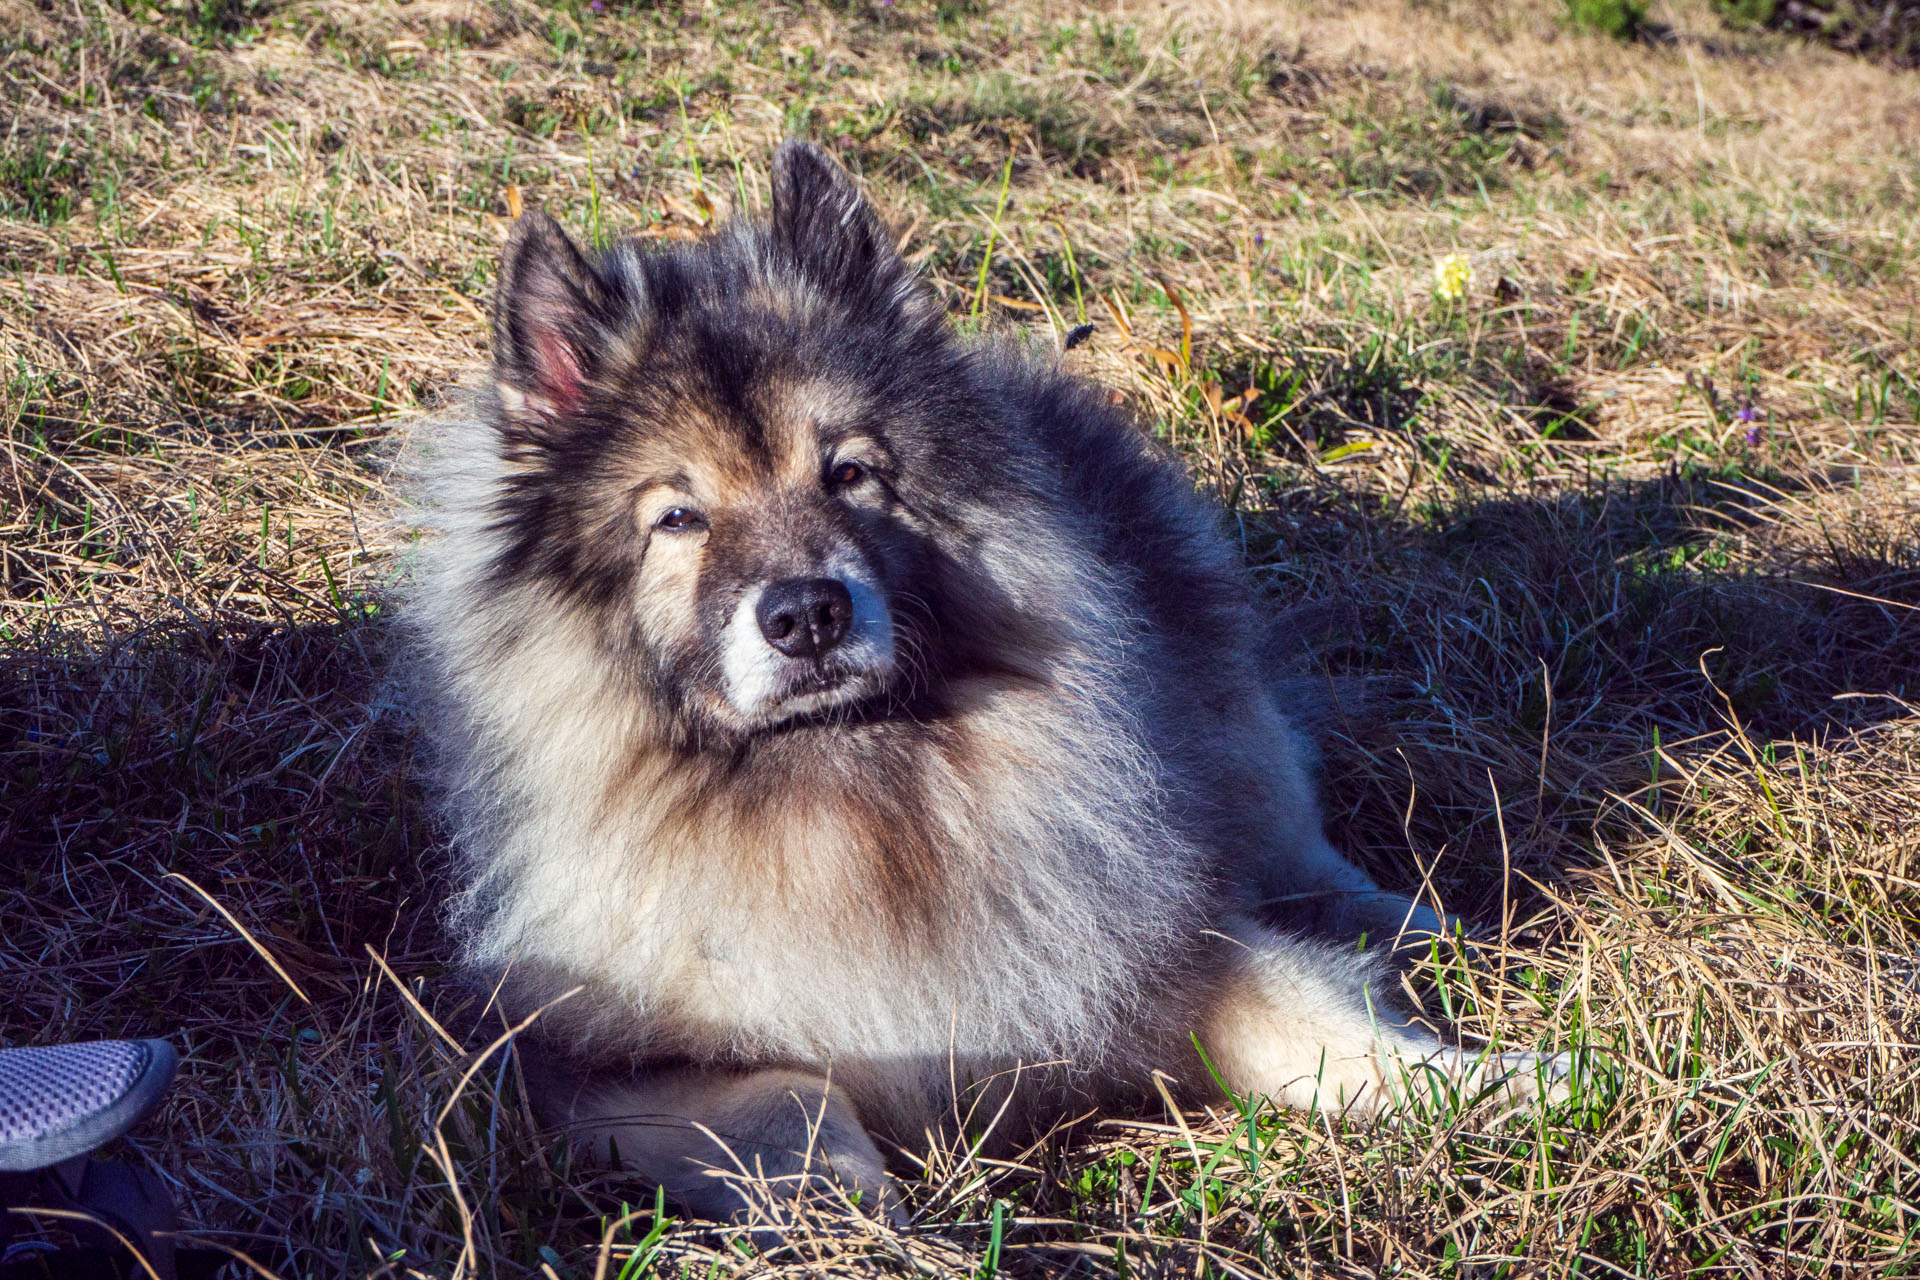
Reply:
x=1621, y=540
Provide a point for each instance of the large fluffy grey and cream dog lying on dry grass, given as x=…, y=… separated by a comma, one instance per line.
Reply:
x=852, y=734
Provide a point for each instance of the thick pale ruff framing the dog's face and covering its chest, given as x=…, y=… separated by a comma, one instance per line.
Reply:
x=999, y=865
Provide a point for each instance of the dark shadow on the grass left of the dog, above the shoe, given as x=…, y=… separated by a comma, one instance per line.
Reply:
x=181, y=801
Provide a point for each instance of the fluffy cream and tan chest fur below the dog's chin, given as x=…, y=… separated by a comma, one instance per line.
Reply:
x=840, y=893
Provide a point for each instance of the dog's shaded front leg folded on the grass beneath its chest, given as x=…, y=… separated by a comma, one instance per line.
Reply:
x=740, y=1147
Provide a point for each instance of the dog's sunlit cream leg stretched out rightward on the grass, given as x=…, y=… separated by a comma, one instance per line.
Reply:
x=1293, y=1022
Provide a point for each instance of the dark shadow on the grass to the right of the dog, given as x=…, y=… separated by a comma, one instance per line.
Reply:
x=1524, y=657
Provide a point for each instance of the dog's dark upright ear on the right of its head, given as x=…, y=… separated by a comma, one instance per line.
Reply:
x=827, y=227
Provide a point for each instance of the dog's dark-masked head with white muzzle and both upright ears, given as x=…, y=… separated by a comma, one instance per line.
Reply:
x=727, y=454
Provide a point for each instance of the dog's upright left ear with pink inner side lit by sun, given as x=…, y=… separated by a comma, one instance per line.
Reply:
x=550, y=314
